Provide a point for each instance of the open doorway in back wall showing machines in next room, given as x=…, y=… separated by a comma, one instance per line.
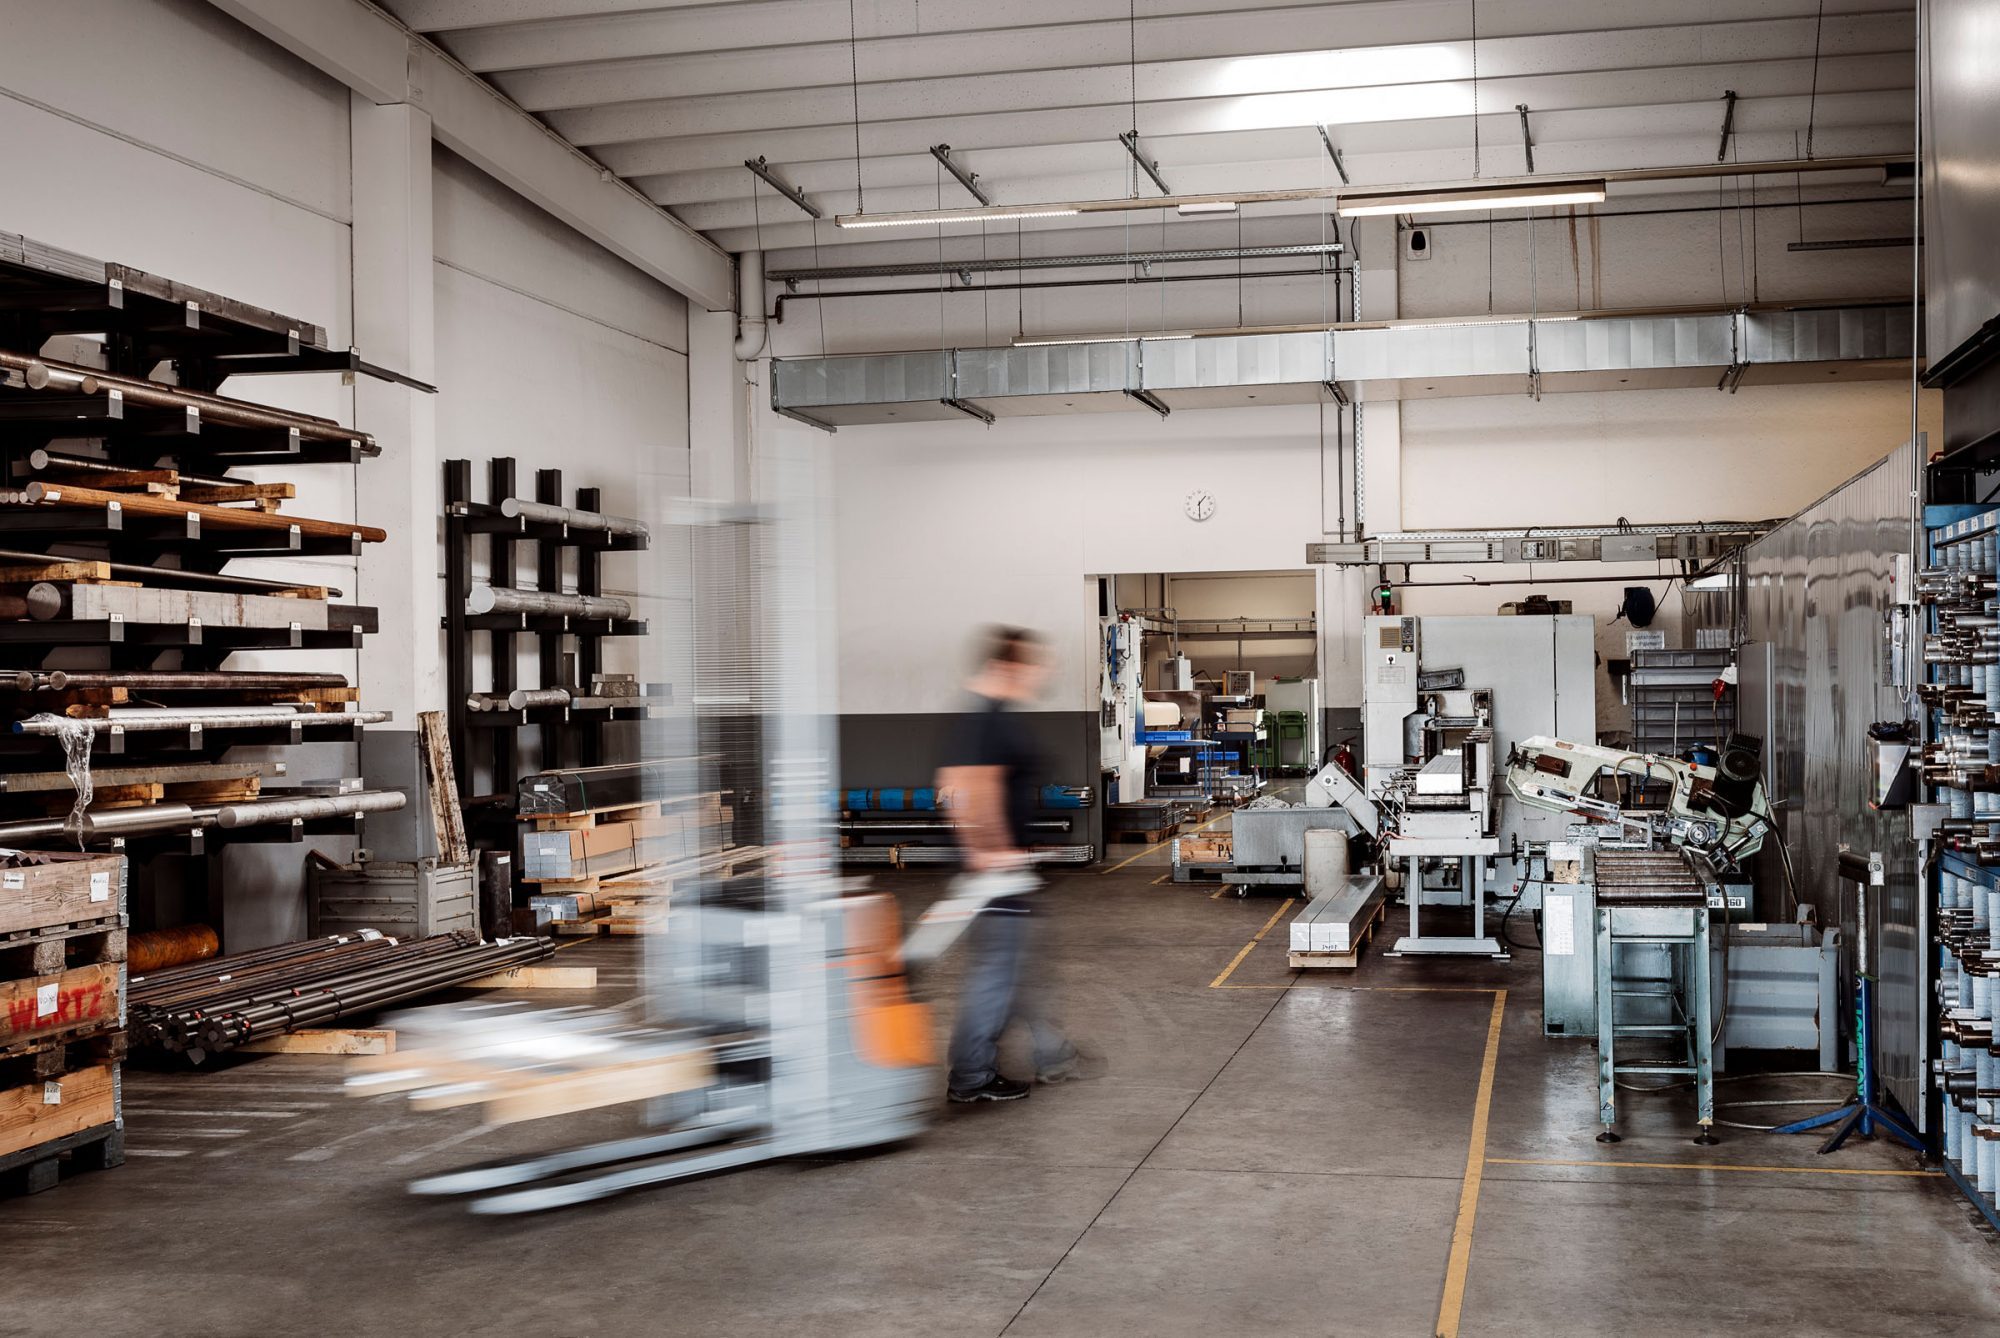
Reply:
x=1211, y=691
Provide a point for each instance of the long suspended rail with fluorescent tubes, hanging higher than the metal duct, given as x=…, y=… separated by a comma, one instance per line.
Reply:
x=1415, y=199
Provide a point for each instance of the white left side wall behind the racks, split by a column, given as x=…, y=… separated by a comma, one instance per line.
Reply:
x=167, y=137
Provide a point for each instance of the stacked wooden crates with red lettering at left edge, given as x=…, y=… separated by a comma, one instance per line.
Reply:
x=63, y=1007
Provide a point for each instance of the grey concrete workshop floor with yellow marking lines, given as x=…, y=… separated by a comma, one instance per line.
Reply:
x=1277, y=1155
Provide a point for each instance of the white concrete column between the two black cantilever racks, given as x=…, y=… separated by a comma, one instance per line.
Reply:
x=403, y=665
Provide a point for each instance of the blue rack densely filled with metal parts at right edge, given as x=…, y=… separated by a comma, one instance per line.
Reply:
x=1963, y=761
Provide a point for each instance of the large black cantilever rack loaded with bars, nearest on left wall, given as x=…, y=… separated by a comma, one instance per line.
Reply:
x=121, y=509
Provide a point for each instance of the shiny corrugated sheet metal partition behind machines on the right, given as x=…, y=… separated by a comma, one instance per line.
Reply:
x=1819, y=591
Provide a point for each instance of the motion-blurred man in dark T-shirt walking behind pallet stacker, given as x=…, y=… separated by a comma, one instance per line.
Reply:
x=993, y=775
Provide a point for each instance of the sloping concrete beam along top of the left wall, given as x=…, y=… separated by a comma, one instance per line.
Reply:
x=371, y=53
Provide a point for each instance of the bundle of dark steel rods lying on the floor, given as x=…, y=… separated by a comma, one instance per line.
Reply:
x=223, y=1003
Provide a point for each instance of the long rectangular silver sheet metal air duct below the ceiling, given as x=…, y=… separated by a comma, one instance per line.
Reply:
x=1395, y=361
